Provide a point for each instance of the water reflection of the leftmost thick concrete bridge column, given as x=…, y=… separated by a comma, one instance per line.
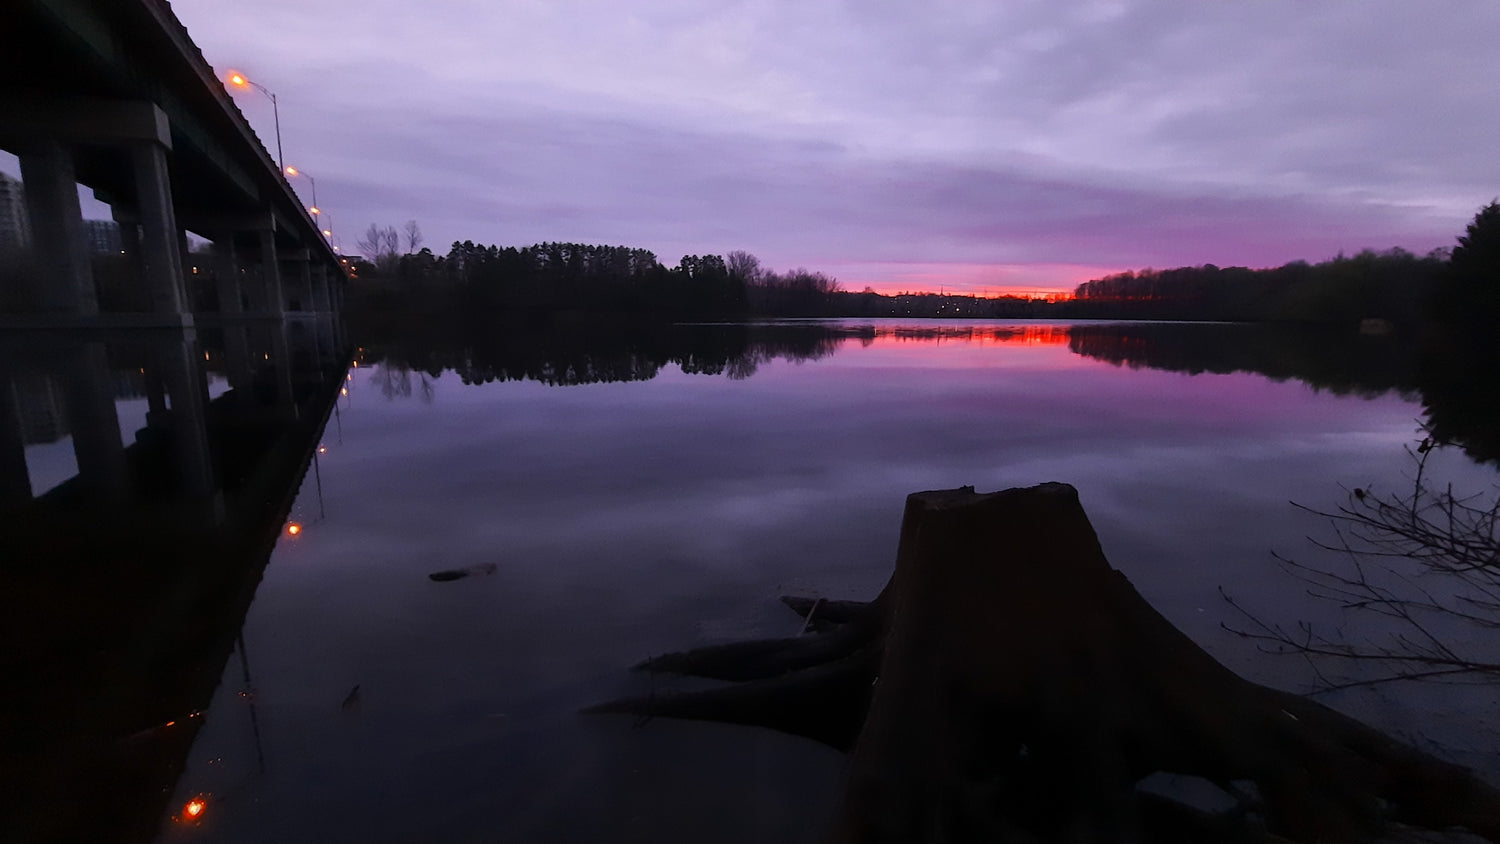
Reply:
x=94, y=421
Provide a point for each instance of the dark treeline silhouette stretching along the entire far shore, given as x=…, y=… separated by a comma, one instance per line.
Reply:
x=1396, y=287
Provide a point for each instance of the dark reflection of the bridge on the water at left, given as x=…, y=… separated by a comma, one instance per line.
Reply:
x=124, y=588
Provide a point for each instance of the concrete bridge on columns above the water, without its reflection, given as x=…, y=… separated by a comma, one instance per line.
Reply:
x=115, y=97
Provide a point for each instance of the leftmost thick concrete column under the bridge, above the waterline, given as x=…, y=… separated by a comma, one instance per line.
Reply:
x=65, y=278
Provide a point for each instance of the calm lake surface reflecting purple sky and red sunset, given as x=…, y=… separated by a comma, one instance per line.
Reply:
x=620, y=492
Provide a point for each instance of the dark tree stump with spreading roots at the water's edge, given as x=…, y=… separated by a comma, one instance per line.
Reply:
x=1010, y=686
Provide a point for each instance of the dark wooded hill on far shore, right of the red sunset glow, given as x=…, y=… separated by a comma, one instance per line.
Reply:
x=1396, y=286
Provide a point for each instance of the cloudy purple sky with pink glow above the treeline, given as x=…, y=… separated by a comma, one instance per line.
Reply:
x=974, y=146
